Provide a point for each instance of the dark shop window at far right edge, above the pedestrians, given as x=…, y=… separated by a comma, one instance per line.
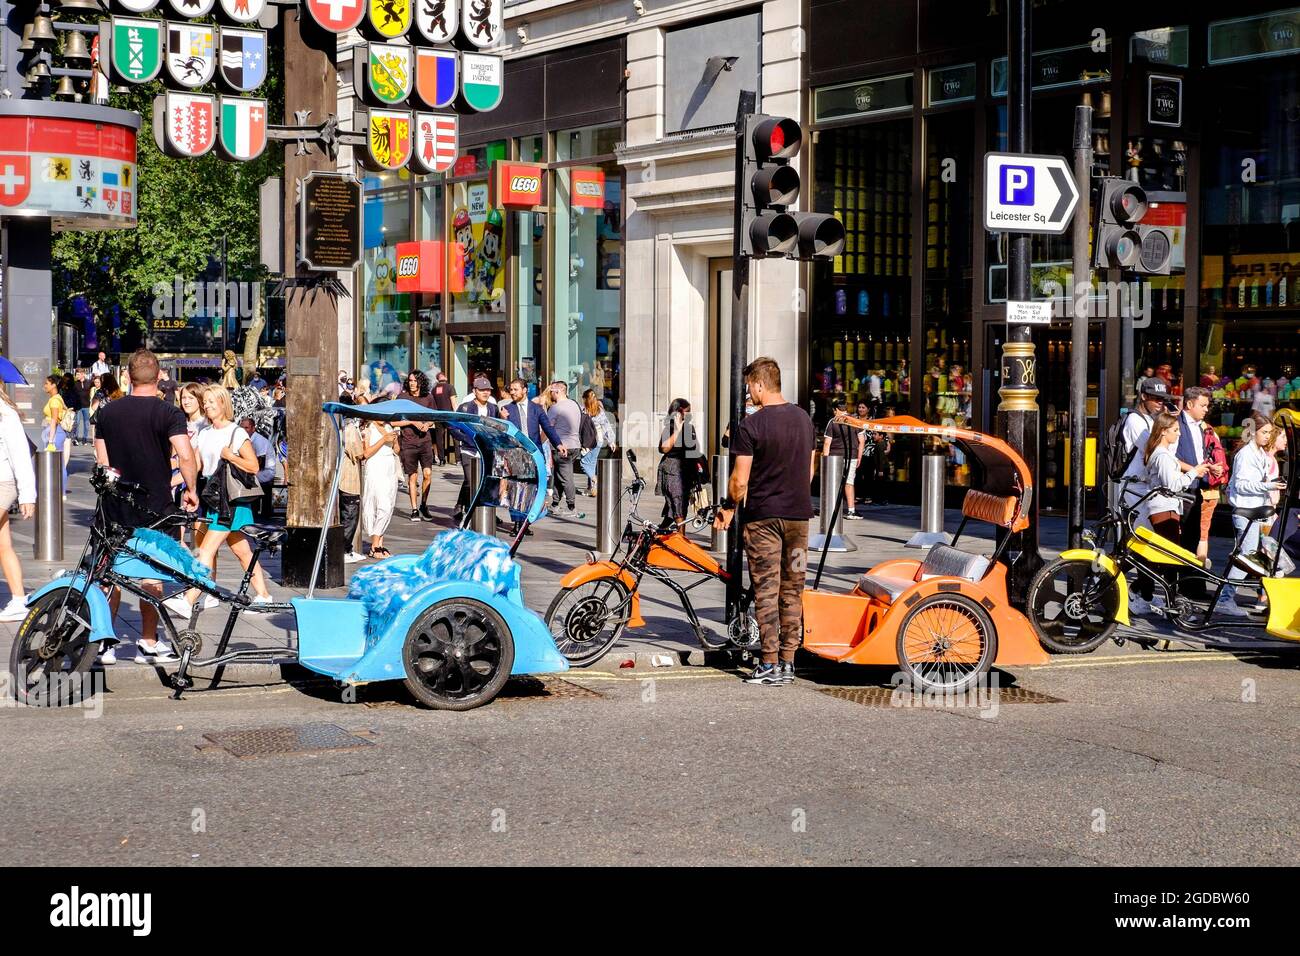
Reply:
x=1250, y=319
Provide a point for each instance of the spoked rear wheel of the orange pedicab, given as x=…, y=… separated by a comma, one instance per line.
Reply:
x=946, y=643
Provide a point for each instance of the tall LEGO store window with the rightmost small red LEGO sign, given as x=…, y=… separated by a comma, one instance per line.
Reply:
x=588, y=269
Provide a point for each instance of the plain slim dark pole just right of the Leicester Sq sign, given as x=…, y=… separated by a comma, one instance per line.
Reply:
x=1082, y=274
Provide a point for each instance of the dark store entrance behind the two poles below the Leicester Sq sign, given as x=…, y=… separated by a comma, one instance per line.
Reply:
x=1054, y=382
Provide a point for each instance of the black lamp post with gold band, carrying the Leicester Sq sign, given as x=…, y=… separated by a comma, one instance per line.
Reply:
x=1019, y=412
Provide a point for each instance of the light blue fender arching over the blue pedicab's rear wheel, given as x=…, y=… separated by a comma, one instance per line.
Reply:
x=535, y=650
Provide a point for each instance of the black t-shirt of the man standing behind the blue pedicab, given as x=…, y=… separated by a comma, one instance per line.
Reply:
x=138, y=432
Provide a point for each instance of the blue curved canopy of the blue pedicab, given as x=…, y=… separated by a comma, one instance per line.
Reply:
x=517, y=477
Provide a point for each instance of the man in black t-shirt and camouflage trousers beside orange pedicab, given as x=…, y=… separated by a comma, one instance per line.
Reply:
x=773, y=475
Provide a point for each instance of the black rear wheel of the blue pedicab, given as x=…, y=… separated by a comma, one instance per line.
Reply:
x=458, y=655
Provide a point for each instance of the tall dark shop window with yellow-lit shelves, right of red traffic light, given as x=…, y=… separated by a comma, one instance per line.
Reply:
x=861, y=322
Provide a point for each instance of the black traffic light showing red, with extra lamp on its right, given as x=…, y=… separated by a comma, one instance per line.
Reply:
x=769, y=187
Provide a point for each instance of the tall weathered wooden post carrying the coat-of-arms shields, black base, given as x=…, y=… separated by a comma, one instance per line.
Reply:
x=311, y=319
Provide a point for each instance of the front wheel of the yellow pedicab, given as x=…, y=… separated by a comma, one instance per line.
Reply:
x=1073, y=605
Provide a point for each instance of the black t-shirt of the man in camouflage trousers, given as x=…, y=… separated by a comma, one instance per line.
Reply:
x=781, y=439
